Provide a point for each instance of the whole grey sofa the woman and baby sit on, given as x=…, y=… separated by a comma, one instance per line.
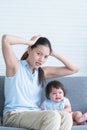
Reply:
x=76, y=91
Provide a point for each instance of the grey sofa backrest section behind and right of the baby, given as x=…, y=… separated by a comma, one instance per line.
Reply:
x=76, y=91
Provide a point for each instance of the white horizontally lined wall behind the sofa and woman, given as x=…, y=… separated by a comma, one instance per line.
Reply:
x=64, y=22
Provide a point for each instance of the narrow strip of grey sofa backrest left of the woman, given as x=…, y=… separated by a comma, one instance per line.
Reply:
x=1, y=94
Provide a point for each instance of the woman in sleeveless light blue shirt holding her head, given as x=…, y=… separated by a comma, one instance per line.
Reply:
x=23, y=82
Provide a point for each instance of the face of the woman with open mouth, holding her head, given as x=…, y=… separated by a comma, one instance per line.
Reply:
x=38, y=56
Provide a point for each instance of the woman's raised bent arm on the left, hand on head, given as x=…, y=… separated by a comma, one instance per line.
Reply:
x=10, y=58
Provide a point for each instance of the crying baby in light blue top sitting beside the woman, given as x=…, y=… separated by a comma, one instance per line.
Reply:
x=56, y=100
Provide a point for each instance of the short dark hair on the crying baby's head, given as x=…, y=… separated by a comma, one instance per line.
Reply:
x=53, y=84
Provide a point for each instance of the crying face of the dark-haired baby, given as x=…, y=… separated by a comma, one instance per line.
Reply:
x=56, y=95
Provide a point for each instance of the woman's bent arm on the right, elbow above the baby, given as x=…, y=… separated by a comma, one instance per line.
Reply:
x=68, y=67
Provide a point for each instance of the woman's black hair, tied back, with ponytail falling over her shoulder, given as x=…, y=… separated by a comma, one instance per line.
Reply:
x=41, y=41
